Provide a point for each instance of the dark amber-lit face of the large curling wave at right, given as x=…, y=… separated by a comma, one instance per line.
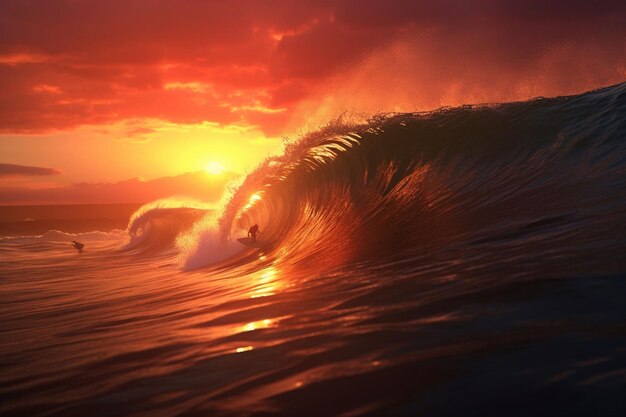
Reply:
x=548, y=173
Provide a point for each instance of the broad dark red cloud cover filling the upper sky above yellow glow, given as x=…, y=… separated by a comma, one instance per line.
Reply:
x=68, y=63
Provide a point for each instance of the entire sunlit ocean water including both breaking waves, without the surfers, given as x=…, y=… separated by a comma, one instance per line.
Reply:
x=469, y=261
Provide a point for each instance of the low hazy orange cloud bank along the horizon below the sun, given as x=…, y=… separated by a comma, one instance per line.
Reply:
x=197, y=185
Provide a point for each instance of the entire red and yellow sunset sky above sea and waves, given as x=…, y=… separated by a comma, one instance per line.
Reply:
x=106, y=92
